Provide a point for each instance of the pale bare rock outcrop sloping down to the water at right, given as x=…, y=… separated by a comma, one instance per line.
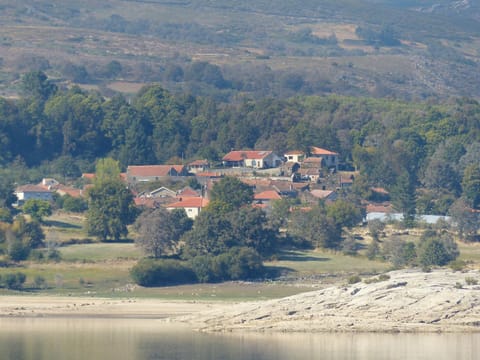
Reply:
x=403, y=301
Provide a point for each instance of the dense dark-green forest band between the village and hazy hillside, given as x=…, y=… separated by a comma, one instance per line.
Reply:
x=403, y=147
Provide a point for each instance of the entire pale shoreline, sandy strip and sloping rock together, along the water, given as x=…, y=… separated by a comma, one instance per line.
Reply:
x=410, y=301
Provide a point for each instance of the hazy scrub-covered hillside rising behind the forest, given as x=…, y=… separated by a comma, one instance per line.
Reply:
x=415, y=50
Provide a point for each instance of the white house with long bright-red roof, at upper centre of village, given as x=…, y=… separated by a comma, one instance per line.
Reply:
x=257, y=159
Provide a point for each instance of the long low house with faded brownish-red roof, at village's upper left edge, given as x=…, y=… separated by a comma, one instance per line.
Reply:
x=145, y=173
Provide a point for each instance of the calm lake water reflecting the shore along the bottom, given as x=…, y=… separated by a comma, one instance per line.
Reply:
x=72, y=338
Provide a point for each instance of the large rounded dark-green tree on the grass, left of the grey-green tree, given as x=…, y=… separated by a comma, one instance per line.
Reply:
x=110, y=210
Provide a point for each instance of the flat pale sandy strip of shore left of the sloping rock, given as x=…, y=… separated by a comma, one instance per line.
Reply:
x=52, y=306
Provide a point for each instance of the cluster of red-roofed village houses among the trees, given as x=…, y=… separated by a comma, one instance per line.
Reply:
x=308, y=176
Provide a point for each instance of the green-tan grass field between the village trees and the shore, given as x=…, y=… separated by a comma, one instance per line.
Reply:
x=102, y=269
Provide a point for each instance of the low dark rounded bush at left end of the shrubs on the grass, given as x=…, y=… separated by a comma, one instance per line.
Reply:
x=149, y=272
